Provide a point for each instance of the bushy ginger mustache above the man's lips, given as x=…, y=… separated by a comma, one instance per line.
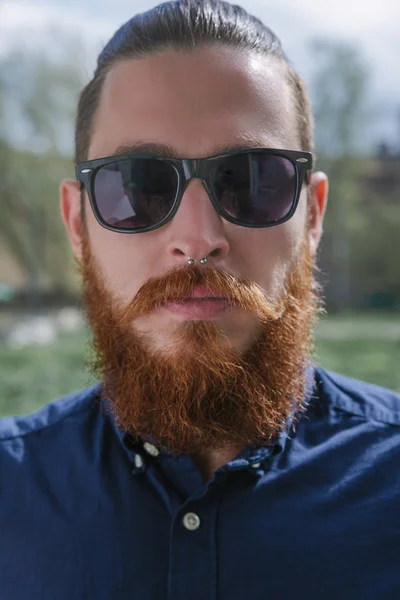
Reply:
x=180, y=282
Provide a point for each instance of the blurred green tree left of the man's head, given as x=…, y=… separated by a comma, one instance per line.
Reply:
x=37, y=104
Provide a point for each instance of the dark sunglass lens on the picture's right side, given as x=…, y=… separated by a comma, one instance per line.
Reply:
x=255, y=188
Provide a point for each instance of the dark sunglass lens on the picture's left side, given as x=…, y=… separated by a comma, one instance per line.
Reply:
x=135, y=193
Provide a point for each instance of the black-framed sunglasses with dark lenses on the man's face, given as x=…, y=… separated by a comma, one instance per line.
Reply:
x=251, y=188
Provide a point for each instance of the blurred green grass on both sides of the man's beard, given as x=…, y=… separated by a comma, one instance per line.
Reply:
x=366, y=348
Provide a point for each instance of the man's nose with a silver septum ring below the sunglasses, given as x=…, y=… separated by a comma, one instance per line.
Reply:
x=197, y=231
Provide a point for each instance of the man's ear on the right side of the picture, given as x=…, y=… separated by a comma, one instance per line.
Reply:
x=318, y=198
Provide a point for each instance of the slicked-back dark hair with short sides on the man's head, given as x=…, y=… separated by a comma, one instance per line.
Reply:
x=187, y=25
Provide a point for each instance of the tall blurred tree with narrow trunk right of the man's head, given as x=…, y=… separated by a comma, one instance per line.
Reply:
x=340, y=99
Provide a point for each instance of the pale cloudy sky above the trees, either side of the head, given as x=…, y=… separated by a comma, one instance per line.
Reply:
x=373, y=27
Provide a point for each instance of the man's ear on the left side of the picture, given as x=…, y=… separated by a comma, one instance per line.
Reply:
x=70, y=205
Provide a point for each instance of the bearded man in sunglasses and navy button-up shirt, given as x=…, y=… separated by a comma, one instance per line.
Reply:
x=214, y=461
